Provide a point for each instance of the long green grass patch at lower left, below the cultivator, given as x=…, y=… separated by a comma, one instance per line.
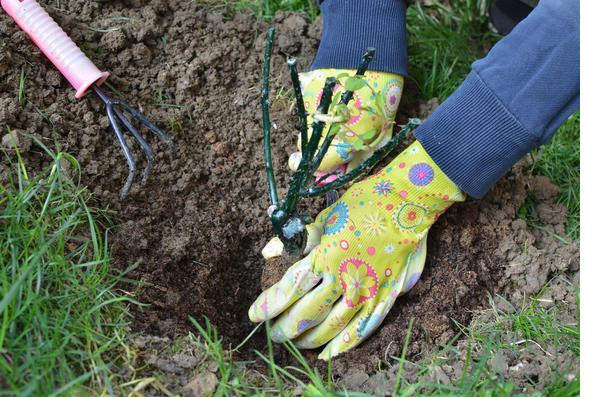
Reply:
x=61, y=319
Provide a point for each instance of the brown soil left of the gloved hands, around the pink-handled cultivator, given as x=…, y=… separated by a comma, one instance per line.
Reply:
x=197, y=227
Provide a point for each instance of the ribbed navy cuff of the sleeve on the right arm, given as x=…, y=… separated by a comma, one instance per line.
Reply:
x=473, y=138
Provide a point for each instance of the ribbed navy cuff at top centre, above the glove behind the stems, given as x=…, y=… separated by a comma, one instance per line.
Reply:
x=352, y=26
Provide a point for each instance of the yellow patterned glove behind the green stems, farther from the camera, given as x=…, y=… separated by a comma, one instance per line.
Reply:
x=370, y=124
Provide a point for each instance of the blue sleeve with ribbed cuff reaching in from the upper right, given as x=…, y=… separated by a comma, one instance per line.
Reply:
x=513, y=100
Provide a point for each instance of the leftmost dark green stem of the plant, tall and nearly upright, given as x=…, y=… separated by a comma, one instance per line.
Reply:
x=267, y=119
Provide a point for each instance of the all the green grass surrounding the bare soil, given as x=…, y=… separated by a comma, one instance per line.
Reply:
x=64, y=316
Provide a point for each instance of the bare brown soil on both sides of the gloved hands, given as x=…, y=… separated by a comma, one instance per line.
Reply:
x=194, y=233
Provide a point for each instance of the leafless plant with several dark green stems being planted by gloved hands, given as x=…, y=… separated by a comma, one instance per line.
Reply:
x=288, y=225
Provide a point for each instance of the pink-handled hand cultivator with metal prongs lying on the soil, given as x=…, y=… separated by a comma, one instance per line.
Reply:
x=84, y=76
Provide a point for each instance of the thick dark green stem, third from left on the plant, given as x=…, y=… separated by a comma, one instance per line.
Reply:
x=301, y=176
